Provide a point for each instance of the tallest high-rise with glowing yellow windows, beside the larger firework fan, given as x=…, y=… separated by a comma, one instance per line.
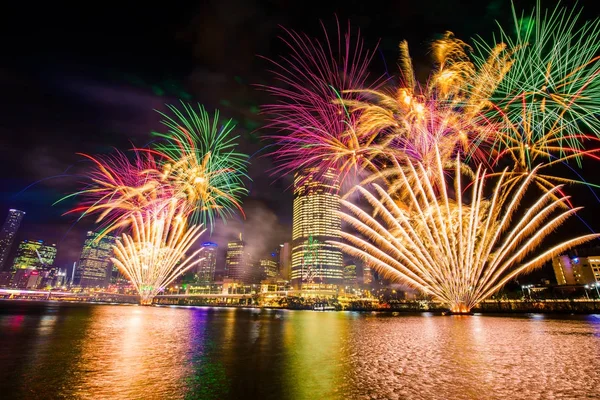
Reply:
x=315, y=222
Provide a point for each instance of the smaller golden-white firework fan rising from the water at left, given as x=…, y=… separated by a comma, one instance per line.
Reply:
x=154, y=254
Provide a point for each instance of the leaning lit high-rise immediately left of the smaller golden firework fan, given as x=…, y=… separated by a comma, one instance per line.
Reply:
x=94, y=268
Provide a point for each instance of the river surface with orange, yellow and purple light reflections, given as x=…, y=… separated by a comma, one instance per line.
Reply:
x=50, y=350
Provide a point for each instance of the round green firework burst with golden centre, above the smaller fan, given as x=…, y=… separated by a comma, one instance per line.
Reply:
x=199, y=162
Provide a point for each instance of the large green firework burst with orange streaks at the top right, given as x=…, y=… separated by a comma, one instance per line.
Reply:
x=546, y=103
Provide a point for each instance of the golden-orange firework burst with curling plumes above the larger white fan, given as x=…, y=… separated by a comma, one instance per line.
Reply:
x=446, y=113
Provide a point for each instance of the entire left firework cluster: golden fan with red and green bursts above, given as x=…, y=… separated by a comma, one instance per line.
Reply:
x=192, y=175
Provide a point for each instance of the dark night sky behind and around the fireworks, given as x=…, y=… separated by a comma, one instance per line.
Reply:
x=85, y=77
